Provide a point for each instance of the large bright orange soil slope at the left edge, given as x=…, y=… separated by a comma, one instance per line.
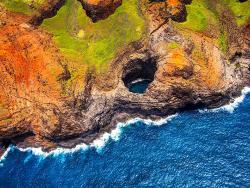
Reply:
x=29, y=68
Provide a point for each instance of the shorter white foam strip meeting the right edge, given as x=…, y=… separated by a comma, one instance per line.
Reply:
x=231, y=106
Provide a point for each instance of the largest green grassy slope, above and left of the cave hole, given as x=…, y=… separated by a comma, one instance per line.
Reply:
x=94, y=43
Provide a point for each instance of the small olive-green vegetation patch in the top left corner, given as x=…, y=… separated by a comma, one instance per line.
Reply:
x=23, y=6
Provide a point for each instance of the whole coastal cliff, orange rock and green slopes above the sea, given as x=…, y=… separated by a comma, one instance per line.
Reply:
x=66, y=78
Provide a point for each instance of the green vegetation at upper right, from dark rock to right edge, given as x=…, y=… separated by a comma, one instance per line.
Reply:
x=203, y=16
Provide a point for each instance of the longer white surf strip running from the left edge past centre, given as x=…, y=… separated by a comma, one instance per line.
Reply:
x=98, y=143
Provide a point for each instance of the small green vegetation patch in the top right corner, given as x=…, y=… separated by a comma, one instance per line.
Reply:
x=241, y=11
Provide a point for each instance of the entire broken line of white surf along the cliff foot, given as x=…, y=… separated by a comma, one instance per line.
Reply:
x=115, y=133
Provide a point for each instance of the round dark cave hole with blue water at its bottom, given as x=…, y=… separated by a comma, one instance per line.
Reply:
x=138, y=74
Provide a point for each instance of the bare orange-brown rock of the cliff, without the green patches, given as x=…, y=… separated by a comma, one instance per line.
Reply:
x=184, y=69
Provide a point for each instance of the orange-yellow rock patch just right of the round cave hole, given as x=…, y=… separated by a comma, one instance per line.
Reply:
x=207, y=71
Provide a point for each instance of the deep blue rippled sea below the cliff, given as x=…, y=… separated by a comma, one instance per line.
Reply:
x=194, y=149
